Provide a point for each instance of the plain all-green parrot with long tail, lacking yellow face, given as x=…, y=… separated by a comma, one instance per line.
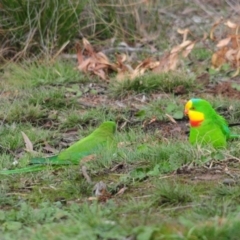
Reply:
x=99, y=138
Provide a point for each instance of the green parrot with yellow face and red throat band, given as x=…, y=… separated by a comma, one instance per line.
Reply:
x=206, y=125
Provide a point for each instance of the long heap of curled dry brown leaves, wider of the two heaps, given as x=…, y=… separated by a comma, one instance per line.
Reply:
x=98, y=63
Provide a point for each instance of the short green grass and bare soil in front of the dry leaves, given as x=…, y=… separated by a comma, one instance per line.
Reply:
x=160, y=187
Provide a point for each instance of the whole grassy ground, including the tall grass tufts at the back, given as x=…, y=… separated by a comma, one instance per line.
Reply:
x=158, y=185
